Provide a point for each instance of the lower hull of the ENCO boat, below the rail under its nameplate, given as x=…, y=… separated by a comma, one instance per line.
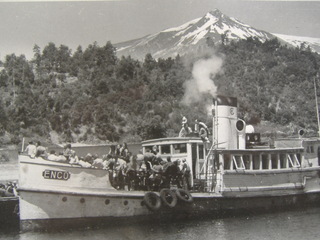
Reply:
x=48, y=210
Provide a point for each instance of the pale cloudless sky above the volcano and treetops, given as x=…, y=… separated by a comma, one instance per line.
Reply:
x=26, y=23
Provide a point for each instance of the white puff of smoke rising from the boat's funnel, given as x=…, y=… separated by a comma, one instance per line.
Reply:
x=202, y=84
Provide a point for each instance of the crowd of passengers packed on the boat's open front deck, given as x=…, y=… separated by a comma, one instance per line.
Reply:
x=146, y=171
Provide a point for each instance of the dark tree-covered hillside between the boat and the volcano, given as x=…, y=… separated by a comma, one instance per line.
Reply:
x=91, y=95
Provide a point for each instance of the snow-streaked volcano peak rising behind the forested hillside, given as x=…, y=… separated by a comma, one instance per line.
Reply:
x=214, y=27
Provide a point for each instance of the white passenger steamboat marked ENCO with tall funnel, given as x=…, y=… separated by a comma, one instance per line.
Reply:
x=233, y=173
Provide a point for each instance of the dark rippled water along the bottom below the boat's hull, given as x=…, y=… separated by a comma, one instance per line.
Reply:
x=303, y=224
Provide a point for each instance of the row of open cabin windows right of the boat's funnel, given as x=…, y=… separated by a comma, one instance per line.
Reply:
x=261, y=162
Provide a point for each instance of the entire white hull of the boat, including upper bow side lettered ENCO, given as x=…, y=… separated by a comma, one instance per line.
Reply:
x=54, y=195
